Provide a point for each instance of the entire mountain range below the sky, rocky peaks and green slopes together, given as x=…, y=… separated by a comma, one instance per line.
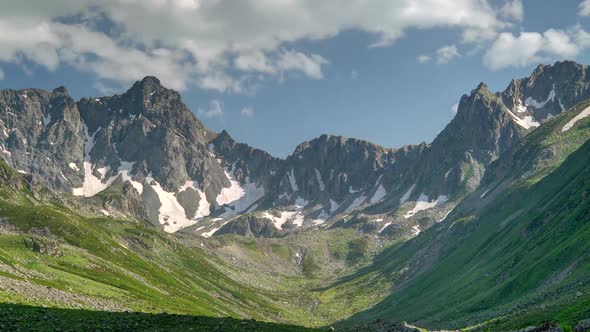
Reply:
x=484, y=227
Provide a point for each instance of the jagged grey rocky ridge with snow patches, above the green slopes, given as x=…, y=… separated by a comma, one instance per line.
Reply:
x=173, y=171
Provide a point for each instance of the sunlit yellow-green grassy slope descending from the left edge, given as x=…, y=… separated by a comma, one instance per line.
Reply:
x=115, y=264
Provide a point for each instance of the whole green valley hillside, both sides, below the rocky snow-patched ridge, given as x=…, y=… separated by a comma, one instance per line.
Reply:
x=514, y=253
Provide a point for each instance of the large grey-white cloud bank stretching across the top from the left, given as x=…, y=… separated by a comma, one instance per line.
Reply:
x=214, y=44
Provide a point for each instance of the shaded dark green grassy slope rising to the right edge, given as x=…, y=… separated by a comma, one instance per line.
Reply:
x=523, y=259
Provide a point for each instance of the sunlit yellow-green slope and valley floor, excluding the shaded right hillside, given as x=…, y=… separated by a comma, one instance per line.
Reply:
x=109, y=264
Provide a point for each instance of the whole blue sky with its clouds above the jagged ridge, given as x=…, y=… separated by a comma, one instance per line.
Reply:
x=276, y=77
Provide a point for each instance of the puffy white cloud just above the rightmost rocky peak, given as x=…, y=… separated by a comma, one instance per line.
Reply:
x=532, y=47
